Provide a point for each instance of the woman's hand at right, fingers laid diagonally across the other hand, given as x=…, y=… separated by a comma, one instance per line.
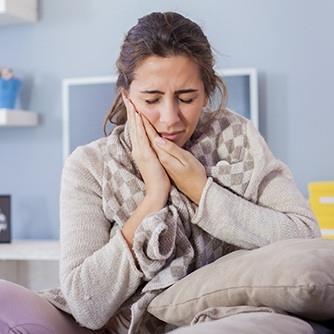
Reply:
x=187, y=173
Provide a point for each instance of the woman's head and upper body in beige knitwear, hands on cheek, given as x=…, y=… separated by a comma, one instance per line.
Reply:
x=173, y=187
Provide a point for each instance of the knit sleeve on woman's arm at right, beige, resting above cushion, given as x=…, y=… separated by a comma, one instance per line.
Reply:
x=271, y=209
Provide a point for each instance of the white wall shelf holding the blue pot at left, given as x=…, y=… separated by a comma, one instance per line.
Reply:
x=14, y=117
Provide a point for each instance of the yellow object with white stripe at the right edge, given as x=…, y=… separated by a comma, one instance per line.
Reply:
x=322, y=204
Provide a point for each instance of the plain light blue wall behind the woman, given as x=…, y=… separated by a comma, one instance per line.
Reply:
x=290, y=42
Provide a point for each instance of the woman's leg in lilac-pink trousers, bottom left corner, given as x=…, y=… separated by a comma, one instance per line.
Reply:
x=24, y=311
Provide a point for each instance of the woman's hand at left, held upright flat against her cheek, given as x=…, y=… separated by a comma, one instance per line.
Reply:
x=154, y=175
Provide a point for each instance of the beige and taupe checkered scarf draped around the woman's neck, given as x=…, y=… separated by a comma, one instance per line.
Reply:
x=167, y=244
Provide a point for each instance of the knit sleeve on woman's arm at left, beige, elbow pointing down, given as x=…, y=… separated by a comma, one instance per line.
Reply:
x=97, y=270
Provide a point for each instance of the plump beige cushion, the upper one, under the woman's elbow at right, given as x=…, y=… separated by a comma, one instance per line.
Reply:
x=295, y=276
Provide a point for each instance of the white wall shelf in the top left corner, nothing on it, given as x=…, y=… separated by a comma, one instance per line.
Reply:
x=18, y=11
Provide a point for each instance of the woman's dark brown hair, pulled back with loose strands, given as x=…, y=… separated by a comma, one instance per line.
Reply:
x=163, y=35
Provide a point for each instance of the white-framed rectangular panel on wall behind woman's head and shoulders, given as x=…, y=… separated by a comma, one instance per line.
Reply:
x=86, y=101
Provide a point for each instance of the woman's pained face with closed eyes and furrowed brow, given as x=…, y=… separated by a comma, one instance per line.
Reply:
x=170, y=93
